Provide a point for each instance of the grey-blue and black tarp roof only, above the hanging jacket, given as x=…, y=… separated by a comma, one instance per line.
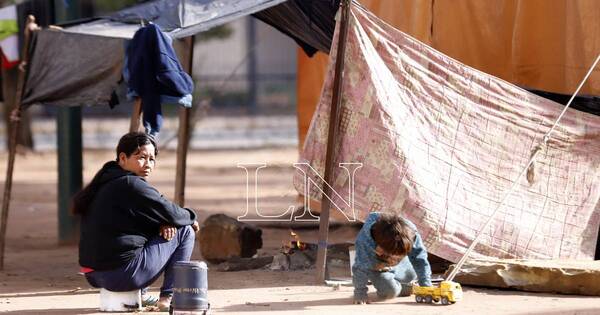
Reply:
x=309, y=22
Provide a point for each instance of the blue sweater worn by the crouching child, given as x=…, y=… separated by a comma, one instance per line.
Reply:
x=367, y=260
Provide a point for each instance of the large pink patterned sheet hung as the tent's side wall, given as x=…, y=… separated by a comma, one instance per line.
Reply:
x=441, y=143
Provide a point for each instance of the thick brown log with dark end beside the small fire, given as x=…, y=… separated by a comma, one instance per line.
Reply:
x=222, y=238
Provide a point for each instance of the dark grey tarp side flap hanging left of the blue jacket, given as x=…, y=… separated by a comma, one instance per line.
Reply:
x=83, y=69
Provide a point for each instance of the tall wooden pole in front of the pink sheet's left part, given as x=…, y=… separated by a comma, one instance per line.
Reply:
x=332, y=136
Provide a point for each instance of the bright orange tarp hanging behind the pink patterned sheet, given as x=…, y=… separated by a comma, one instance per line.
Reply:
x=542, y=45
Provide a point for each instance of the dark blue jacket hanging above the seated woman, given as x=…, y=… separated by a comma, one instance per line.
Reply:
x=154, y=73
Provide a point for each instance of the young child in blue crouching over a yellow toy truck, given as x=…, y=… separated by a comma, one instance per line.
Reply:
x=390, y=253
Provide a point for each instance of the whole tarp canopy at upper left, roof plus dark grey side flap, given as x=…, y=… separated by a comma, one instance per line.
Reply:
x=81, y=65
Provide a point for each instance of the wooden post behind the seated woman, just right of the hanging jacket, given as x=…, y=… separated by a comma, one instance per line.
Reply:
x=183, y=138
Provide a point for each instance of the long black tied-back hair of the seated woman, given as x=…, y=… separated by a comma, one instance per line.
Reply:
x=129, y=144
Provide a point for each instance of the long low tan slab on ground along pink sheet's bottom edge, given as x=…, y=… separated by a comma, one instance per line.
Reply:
x=579, y=277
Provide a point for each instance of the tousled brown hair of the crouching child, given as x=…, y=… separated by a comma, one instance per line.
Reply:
x=392, y=234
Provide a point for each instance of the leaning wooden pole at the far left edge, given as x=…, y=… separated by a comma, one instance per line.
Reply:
x=15, y=119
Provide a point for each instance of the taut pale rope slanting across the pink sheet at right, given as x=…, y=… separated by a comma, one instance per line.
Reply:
x=537, y=150
